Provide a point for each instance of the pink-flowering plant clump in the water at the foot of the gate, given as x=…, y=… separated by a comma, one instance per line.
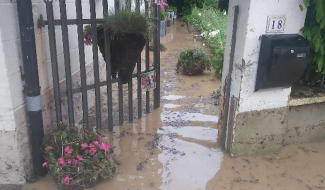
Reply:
x=76, y=156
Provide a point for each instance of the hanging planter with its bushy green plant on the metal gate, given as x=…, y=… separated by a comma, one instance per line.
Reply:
x=128, y=32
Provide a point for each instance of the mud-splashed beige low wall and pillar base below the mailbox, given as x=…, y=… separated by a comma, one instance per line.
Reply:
x=302, y=121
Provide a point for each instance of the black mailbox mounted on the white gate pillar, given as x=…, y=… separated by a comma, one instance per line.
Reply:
x=283, y=60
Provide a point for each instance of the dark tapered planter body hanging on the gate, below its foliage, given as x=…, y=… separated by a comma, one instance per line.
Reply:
x=125, y=51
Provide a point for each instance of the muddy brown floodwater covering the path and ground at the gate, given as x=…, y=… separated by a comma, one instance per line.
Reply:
x=175, y=147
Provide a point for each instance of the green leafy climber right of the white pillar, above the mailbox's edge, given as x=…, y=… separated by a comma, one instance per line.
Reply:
x=314, y=31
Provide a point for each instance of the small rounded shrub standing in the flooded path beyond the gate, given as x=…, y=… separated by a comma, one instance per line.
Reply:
x=193, y=62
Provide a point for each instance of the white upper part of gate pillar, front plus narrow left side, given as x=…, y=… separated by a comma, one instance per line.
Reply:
x=251, y=25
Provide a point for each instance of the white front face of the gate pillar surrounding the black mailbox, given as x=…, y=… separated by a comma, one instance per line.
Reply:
x=256, y=26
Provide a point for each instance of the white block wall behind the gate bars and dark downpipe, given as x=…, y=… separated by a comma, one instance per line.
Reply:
x=15, y=162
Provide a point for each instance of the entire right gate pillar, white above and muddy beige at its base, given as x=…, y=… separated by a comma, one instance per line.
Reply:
x=258, y=123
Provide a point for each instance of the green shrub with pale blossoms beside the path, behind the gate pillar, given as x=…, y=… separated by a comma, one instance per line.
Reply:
x=212, y=25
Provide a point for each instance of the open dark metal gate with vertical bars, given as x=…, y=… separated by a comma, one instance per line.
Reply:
x=64, y=22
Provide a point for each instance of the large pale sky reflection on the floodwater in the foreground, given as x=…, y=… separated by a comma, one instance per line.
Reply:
x=188, y=167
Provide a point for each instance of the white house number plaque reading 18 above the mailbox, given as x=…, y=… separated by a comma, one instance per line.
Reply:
x=275, y=24
